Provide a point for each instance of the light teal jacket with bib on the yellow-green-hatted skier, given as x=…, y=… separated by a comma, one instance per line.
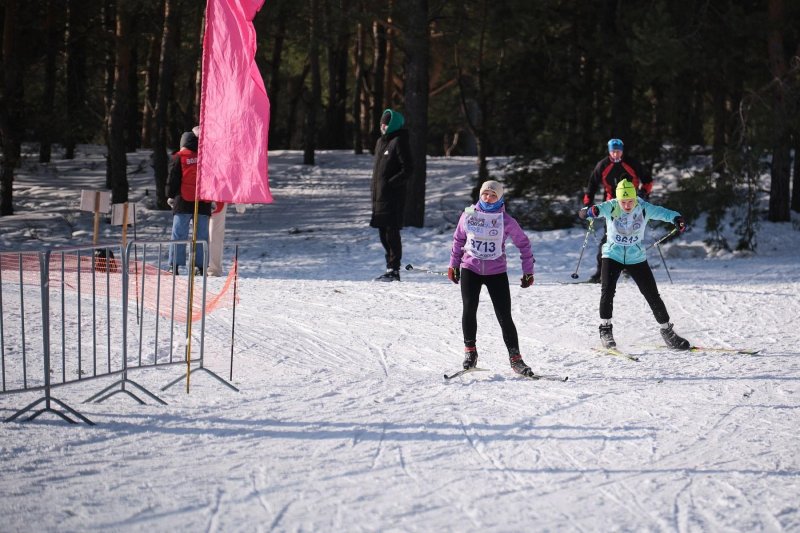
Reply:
x=625, y=231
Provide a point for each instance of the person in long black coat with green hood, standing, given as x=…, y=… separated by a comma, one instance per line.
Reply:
x=389, y=176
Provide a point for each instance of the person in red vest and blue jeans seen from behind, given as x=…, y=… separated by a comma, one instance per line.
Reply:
x=181, y=195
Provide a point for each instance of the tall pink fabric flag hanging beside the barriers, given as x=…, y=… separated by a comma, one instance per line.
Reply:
x=234, y=108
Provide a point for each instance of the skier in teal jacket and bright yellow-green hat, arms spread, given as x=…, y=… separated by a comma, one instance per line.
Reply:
x=626, y=220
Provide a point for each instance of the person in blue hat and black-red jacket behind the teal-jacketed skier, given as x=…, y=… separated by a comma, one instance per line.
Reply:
x=608, y=173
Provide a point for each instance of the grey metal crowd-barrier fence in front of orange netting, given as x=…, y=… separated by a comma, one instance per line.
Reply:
x=65, y=318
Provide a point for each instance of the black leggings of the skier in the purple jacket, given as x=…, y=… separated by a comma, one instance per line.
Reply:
x=500, y=294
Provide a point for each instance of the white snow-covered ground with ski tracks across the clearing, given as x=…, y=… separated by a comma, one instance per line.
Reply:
x=344, y=422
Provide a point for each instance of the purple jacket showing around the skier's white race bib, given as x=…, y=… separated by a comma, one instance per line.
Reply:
x=488, y=267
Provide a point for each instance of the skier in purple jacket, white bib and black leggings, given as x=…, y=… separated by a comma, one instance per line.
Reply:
x=478, y=258
